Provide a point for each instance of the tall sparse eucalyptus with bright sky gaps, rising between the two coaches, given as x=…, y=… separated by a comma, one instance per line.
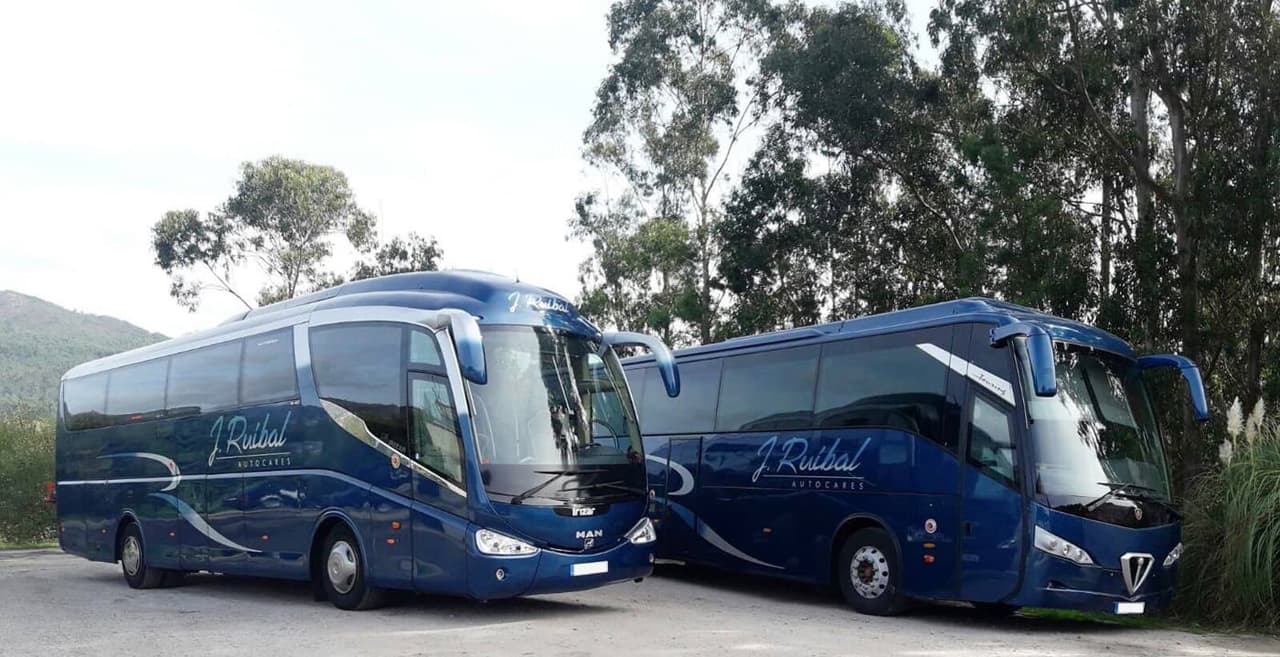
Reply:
x=669, y=118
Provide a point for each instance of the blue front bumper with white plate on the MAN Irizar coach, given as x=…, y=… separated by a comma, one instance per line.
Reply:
x=552, y=572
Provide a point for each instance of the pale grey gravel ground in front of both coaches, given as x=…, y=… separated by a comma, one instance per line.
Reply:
x=57, y=605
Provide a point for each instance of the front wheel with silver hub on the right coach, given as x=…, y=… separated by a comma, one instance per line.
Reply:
x=871, y=573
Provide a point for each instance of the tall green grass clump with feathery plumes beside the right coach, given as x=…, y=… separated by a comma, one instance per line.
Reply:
x=1232, y=535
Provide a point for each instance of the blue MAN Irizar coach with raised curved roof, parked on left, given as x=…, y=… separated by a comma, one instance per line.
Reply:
x=442, y=432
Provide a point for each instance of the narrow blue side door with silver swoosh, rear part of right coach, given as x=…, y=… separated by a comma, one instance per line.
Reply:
x=678, y=531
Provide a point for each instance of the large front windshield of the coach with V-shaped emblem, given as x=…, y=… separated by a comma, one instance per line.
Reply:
x=1099, y=435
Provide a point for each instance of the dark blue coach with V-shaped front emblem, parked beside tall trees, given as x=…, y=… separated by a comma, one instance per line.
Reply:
x=966, y=451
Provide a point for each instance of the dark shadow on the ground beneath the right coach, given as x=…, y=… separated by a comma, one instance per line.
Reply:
x=952, y=614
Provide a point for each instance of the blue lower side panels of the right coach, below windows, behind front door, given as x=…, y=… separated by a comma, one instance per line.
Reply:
x=792, y=522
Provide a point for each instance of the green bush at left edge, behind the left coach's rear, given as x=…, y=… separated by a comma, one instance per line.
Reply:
x=26, y=467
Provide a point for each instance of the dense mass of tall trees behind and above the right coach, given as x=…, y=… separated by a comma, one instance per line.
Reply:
x=1117, y=162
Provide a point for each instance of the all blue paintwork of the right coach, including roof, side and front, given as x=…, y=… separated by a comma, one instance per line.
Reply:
x=798, y=530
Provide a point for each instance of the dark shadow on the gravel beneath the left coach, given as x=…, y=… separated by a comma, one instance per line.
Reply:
x=289, y=592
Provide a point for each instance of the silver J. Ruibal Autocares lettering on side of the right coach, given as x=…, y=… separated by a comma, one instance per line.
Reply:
x=831, y=467
